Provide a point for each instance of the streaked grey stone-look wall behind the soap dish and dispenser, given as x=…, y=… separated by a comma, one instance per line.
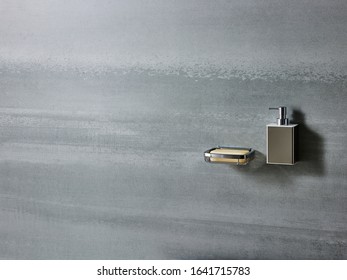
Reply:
x=106, y=108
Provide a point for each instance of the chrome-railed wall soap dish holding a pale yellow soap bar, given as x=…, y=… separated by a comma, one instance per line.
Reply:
x=232, y=155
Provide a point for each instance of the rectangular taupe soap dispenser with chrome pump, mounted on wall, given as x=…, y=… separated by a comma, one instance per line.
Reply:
x=281, y=140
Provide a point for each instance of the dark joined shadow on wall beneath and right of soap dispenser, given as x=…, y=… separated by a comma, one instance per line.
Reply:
x=311, y=157
